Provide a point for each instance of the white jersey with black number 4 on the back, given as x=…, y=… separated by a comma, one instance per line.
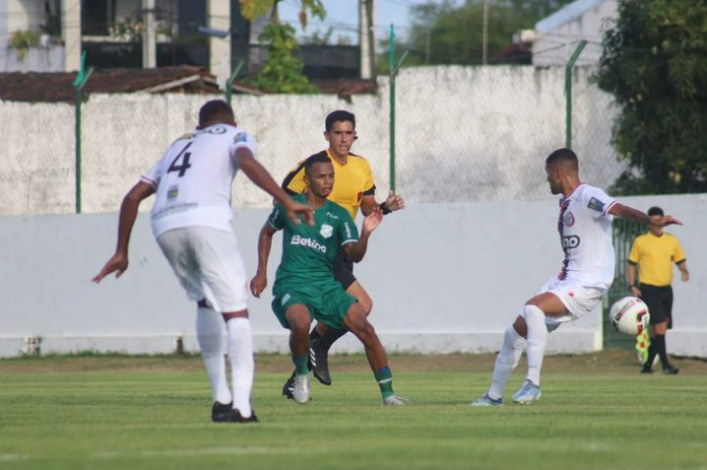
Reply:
x=193, y=179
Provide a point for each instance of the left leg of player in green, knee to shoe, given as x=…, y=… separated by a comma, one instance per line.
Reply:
x=299, y=319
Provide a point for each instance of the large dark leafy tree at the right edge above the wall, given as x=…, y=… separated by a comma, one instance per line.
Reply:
x=654, y=62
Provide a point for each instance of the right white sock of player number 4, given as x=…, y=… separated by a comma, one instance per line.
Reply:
x=240, y=354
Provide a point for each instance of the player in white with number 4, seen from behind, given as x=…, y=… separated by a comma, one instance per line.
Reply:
x=191, y=221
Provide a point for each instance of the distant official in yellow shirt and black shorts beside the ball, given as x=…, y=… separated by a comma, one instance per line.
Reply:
x=654, y=253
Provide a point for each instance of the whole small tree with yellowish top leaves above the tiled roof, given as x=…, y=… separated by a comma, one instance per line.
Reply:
x=282, y=72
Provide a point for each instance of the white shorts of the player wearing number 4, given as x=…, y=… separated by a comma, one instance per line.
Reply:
x=208, y=265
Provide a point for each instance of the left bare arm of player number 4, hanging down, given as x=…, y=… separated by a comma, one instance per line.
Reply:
x=118, y=263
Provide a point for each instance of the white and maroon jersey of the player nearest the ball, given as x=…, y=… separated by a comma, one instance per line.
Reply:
x=585, y=233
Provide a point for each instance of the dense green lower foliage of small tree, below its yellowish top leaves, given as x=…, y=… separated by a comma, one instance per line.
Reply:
x=282, y=72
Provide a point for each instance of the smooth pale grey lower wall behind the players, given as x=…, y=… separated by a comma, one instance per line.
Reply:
x=443, y=278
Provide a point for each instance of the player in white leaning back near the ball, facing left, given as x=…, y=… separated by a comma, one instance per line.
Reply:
x=586, y=273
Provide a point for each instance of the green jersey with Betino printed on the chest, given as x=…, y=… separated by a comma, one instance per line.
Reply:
x=308, y=252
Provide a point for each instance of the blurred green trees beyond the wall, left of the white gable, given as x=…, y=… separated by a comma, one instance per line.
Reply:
x=447, y=32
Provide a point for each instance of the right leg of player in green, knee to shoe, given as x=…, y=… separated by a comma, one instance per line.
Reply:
x=357, y=323
